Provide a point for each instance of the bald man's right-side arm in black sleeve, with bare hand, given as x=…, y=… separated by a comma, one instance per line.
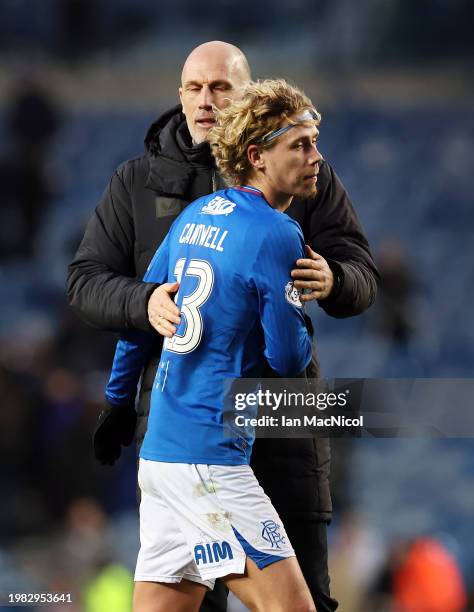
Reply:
x=342, y=261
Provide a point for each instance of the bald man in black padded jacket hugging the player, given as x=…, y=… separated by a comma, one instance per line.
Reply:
x=141, y=201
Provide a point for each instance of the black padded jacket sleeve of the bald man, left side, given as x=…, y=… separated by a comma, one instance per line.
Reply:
x=100, y=283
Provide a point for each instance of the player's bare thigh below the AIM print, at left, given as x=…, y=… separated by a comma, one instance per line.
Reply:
x=184, y=596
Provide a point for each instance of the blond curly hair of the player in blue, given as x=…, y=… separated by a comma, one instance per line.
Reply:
x=265, y=106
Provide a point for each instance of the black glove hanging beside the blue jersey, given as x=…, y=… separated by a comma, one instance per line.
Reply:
x=115, y=427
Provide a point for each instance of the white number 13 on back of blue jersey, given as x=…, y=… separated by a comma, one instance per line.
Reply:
x=190, y=339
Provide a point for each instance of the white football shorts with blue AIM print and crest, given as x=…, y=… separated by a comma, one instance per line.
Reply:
x=200, y=522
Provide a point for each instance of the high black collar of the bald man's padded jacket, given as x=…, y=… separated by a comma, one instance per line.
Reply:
x=173, y=159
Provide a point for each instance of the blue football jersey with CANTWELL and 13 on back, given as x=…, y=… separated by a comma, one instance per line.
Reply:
x=232, y=254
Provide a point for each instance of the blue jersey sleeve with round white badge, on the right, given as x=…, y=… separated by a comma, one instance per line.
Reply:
x=287, y=342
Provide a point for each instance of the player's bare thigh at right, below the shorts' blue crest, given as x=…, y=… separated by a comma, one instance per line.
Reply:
x=277, y=587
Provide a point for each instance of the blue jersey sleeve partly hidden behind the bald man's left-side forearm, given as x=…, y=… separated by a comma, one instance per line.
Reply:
x=134, y=348
